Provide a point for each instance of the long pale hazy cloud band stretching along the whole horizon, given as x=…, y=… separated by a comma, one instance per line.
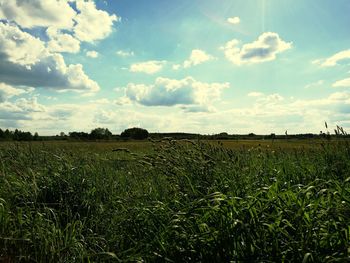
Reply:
x=274, y=114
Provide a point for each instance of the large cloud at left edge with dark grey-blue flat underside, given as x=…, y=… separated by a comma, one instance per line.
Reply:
x=25, y=61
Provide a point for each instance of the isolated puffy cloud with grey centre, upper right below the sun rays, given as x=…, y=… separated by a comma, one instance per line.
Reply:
x=264, y=49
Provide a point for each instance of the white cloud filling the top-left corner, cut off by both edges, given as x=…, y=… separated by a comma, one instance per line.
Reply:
x=44, y=13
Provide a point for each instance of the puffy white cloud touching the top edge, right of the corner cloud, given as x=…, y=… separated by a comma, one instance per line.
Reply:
x=92, y=24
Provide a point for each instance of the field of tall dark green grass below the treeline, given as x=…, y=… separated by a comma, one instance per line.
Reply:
x=175, y=201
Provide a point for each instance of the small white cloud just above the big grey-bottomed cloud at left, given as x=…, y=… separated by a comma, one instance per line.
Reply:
x=61, y=42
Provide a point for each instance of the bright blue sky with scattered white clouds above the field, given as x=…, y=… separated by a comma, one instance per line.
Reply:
x=201, y=66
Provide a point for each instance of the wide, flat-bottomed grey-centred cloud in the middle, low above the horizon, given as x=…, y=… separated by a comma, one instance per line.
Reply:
x=170, y=92
